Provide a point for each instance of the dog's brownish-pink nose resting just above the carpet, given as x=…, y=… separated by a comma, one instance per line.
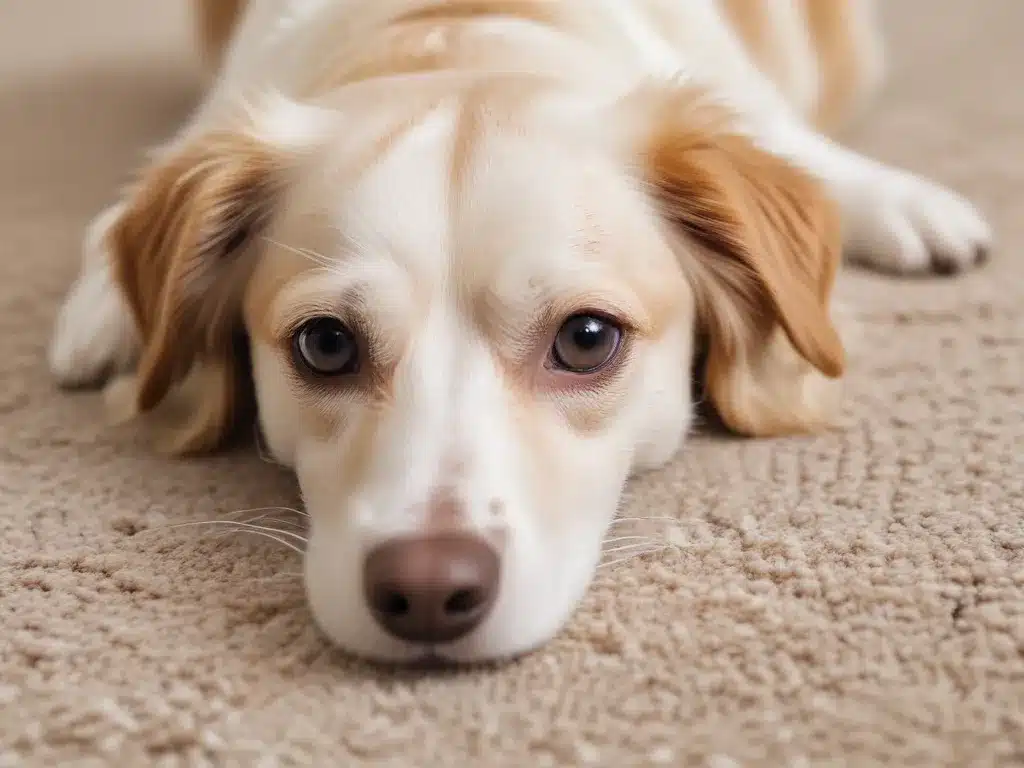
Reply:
x=432, y=589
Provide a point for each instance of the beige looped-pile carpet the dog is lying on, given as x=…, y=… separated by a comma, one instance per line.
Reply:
x=856, y=600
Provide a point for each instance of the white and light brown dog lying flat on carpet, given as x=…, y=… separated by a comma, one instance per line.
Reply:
x=459, y=261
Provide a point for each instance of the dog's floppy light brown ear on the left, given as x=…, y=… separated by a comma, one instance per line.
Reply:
x=180, y=254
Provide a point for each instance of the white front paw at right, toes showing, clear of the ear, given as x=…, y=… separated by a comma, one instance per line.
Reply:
x=900, y=223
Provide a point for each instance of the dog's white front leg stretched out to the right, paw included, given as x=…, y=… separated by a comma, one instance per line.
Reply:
x=893, y=220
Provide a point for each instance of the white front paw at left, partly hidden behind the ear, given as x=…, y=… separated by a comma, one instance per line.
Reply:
x=95, y=335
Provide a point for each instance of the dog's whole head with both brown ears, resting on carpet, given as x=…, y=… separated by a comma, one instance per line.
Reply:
x=468, y=323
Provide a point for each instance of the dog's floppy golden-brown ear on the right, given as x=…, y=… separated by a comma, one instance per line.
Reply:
x=761, y=243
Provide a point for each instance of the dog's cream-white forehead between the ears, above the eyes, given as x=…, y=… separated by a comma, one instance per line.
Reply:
x=448, y=206
